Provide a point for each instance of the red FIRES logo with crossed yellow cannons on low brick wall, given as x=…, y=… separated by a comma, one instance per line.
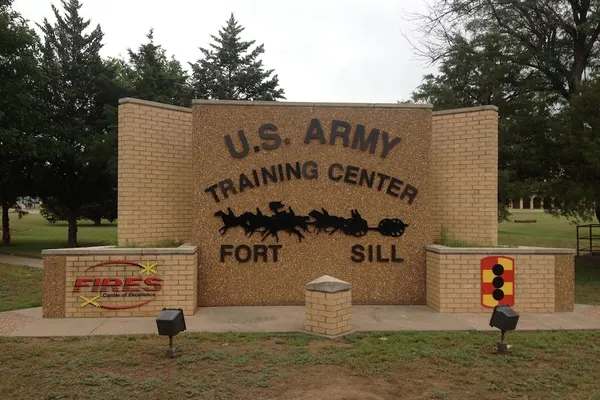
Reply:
x=143, y=284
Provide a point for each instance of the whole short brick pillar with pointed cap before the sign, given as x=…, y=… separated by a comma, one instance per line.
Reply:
x=328, y=306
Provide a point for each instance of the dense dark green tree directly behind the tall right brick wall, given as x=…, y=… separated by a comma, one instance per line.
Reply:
x=475, y=72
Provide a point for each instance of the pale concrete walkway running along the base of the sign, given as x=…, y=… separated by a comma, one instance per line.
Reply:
x=291, y=319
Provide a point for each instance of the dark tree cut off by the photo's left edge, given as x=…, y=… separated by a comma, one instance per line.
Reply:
x=19, y=110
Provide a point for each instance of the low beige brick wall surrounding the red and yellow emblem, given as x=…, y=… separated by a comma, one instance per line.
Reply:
x=453, y=282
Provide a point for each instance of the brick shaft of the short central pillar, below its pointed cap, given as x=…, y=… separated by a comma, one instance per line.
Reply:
x=328, y=313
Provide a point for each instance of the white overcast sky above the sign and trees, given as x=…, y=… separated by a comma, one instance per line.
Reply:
x=322, y=50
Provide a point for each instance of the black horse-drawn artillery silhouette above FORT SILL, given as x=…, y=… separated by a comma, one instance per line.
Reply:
x=271, y=225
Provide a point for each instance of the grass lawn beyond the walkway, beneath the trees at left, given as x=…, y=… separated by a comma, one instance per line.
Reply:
x=32, y=233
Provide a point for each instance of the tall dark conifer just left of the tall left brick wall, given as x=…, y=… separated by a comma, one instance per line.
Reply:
x=81, y=100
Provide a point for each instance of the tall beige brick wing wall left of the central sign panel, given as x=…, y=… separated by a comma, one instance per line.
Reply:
x=155, y=164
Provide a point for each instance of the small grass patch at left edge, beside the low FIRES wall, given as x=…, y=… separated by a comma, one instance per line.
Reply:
x=20, y=287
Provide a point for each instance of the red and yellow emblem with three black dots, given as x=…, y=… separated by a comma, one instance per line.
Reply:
x=497, y=281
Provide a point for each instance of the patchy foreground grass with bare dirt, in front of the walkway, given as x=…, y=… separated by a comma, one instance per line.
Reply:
x=440, y=365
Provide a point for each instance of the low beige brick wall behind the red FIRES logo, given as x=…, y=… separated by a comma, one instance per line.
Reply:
x=177, y=271
